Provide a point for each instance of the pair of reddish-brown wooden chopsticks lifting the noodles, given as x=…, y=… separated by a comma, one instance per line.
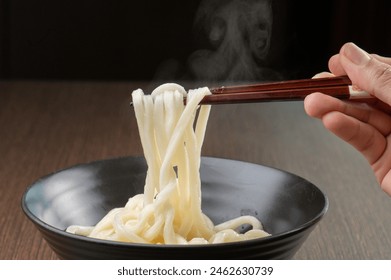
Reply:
x=338, y=87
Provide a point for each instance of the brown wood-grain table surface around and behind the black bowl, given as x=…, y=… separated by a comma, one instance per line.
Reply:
x=46, y=126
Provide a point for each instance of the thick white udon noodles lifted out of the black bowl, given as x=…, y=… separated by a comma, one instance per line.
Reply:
x=169, y=210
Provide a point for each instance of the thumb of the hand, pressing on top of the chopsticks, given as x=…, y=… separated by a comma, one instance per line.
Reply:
x=367, y=72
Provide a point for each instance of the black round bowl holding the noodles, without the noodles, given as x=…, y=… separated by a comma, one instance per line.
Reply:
x=287, y=205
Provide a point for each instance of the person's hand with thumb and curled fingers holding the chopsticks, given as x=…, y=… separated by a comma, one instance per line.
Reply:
x=366, y=127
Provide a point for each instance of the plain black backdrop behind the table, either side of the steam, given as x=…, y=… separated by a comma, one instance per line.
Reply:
x=128, y=40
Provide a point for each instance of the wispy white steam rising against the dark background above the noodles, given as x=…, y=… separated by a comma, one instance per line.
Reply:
x=234, y=36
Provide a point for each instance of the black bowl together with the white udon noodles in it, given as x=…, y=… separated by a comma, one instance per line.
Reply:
x=180, y=203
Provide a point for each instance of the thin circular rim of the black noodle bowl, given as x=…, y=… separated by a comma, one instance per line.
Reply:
x=274, y=237
